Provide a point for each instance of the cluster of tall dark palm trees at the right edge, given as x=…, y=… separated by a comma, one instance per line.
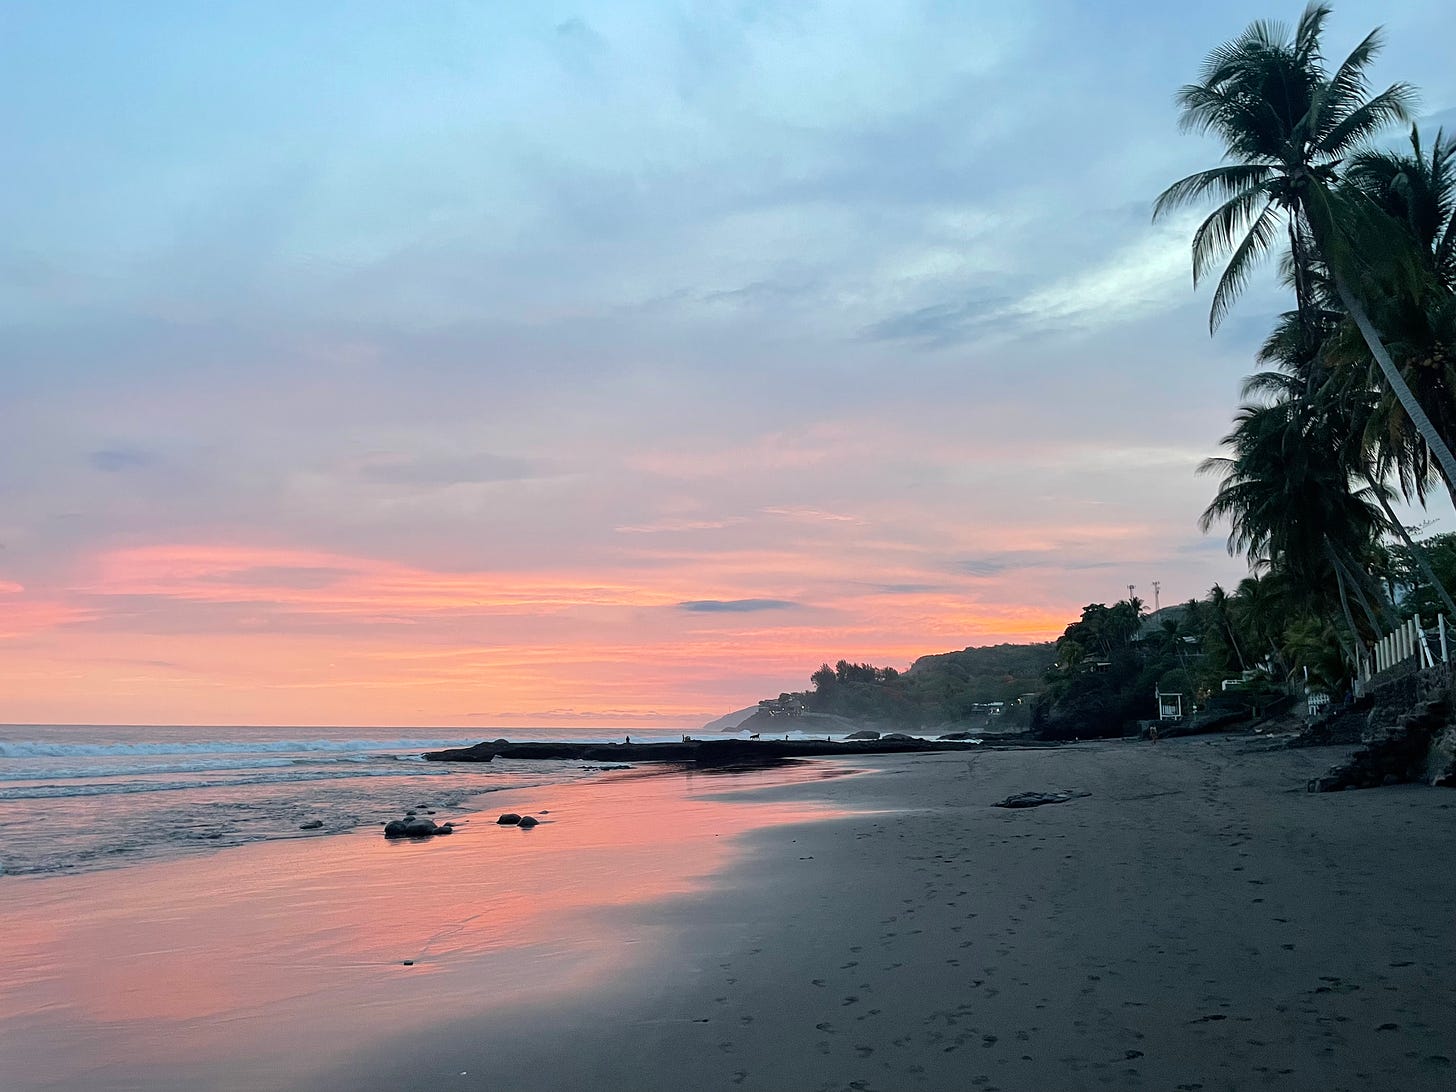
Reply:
x=1356, y=401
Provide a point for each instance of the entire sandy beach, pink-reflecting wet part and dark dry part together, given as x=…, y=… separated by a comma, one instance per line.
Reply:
x=1196, y=922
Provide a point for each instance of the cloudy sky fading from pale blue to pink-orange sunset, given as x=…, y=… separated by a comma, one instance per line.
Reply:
x=598, y=363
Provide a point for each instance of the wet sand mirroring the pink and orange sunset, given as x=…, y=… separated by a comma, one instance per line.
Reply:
x=253, y=965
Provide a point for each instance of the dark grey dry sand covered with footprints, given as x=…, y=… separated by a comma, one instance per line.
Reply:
x=1199, y=922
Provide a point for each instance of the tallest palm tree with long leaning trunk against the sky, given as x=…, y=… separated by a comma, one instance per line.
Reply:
x=1289, y=124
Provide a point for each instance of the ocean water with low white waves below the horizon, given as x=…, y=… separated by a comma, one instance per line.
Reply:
x=87, y=797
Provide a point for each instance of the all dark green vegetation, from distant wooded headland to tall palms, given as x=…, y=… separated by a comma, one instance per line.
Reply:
x=1353, y=407
